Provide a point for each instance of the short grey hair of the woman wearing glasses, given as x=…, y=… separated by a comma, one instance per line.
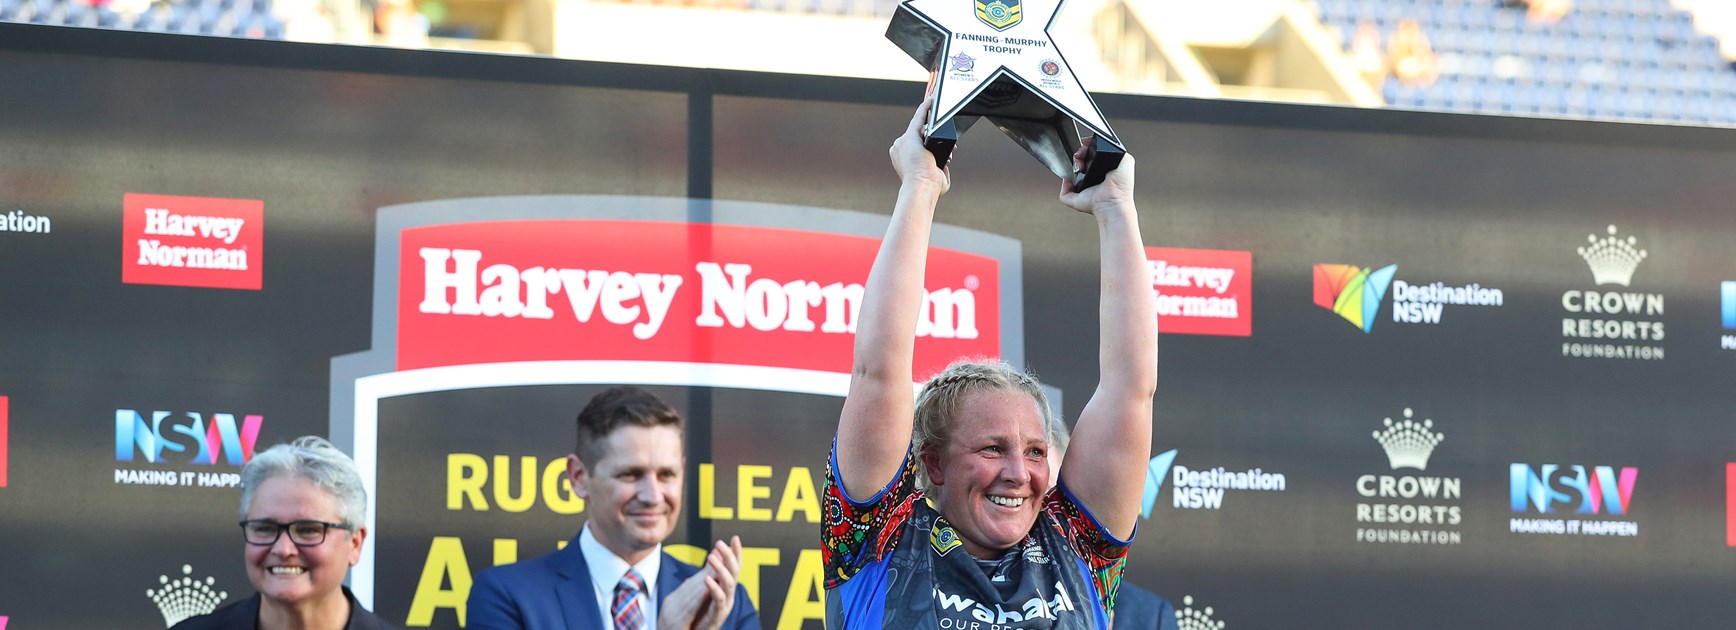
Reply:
x=317, y=461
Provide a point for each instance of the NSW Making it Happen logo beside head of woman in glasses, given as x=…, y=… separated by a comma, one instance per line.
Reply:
x=168, y=438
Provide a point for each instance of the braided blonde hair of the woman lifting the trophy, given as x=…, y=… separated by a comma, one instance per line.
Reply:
x=938, y=404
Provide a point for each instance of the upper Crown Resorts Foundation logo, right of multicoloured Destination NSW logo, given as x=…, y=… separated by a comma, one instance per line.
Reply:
x=1612, y=324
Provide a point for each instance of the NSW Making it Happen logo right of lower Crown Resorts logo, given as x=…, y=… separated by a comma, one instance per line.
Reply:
x=1598, y=490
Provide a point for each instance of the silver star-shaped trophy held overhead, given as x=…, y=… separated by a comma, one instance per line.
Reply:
x=989, y=62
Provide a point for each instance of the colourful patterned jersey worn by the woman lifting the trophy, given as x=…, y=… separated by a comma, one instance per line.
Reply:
x=895, y=563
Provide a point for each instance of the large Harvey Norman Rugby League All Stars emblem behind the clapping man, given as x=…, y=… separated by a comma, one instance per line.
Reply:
x=513, y=306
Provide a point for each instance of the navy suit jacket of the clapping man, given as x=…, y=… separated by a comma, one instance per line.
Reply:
x=553, y=593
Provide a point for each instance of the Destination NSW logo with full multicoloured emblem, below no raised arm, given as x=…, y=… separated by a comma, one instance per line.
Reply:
x=1355, y=294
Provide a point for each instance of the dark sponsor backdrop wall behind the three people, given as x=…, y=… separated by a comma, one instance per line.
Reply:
x=1529, y=360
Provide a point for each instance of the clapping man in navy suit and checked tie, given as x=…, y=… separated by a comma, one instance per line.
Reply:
x=614, y=575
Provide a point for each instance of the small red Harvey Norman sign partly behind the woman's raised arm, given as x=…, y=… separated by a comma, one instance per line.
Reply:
x=1204, y=292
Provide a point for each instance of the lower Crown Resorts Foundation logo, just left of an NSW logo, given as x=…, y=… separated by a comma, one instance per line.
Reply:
x=1410, y=509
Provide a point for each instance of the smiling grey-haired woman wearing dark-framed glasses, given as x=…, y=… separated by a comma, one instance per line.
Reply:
x=301, y=522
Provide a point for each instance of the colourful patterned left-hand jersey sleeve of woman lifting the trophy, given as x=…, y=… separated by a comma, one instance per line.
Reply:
x=855, y=535
